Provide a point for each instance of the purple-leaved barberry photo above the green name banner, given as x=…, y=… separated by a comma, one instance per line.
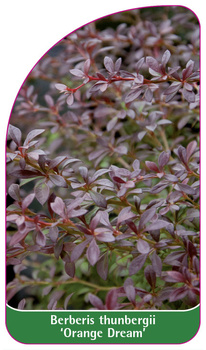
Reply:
x=103, y=168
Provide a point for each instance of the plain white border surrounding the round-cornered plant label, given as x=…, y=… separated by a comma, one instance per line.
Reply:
x=28, y=30
